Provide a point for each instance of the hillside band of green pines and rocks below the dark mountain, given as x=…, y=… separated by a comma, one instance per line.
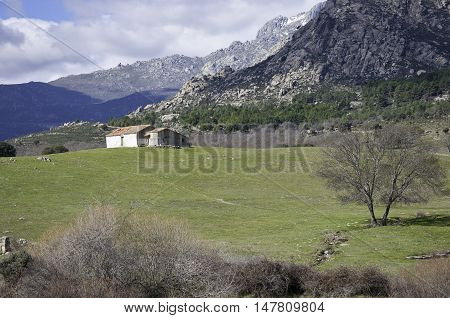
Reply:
x=422, y=99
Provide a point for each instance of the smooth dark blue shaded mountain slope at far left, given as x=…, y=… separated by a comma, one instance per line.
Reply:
x=31, y=107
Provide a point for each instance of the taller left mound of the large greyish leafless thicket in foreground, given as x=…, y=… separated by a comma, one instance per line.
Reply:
x=82, y=262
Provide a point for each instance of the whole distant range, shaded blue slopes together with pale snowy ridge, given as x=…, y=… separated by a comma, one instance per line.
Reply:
x=98, y=96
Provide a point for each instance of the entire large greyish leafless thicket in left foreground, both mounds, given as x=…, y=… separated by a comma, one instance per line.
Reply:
x=102, y=256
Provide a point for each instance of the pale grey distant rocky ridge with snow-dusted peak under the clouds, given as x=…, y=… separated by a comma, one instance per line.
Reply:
x=167, y=75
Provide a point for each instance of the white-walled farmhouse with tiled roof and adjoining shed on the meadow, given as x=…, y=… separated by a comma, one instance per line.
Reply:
x=145, y=136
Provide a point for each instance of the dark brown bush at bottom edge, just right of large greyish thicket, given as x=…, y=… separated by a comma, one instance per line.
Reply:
x=265, y=278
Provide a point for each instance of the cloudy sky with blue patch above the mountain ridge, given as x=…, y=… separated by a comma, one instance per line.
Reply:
x=42, y=40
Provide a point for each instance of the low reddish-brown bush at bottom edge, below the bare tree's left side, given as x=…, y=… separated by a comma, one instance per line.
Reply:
x=348, y=282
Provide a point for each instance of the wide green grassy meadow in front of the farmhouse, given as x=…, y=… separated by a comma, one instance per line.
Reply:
x=252, y=202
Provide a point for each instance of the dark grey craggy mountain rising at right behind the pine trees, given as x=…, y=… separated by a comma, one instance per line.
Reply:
x=349, y=43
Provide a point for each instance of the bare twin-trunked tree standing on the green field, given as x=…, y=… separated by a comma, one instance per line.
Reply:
x=391, y=165
